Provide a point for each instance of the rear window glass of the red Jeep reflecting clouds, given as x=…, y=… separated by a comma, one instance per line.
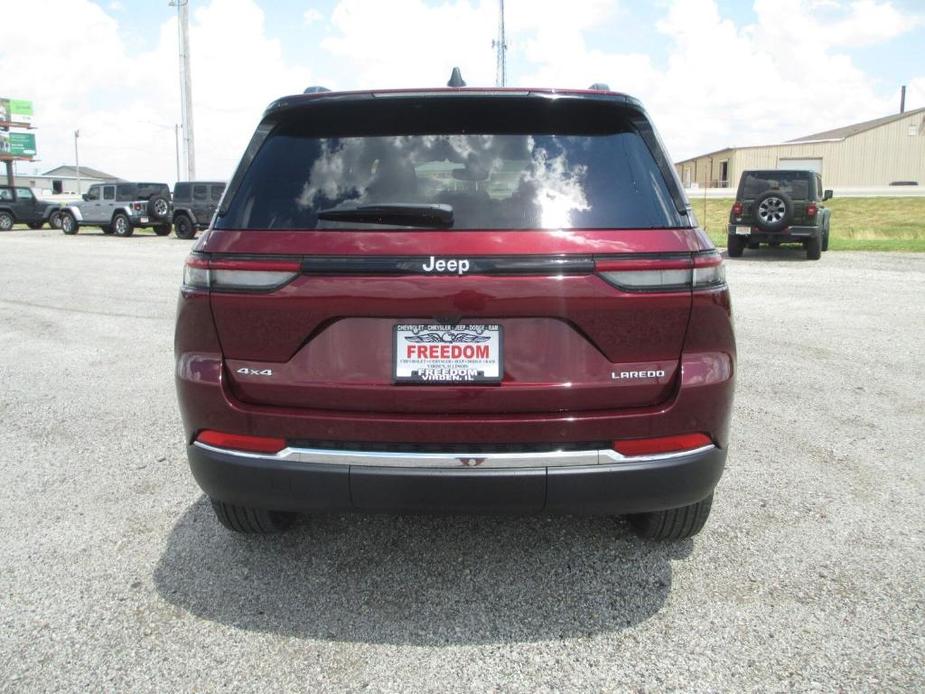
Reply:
x=578, y=167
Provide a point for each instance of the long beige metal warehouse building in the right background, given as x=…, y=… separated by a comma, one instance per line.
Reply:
x=875, y=153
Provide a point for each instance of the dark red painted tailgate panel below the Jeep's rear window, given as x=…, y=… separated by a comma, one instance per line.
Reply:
x=571, y=340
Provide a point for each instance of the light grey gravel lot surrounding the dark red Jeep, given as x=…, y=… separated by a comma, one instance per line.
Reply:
x=114, y=574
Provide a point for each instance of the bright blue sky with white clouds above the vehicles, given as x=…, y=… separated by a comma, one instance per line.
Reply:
x=702, y=67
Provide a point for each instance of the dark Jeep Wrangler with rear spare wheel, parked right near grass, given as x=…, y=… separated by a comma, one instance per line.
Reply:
x=779, y=206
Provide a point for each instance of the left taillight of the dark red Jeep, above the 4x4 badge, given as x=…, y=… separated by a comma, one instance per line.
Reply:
x=238, y=275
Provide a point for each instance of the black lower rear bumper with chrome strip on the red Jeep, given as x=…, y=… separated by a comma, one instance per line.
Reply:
x=300, y=483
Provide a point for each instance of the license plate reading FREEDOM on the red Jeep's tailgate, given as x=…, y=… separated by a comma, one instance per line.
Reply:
x=433, y=353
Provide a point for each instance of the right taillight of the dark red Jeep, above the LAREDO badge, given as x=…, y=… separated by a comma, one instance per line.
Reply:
x=663, y=274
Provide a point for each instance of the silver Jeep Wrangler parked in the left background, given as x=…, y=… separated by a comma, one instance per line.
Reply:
x=120, y=208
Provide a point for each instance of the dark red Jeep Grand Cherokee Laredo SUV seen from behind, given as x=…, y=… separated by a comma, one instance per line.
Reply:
x=464, y=300
